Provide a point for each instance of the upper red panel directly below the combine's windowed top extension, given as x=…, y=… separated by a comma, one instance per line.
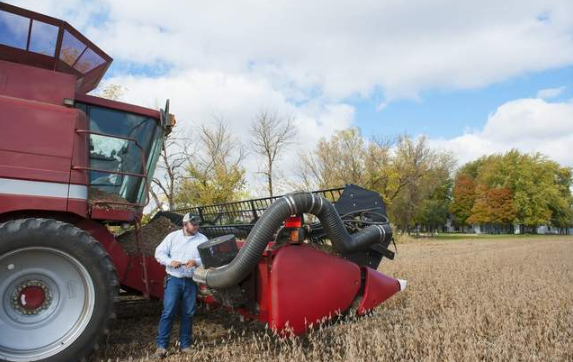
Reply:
x=41, y=85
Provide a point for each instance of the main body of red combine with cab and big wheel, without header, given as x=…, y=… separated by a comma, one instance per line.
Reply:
x=70, y=165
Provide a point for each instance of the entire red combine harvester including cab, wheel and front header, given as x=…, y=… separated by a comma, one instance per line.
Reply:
x=74, y=165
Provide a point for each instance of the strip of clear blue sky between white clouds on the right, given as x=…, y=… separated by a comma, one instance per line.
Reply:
x=443, y=113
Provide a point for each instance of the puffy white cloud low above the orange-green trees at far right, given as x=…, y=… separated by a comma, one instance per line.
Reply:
x=529, y=125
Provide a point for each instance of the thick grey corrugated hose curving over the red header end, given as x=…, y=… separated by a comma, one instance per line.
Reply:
x=250, y=254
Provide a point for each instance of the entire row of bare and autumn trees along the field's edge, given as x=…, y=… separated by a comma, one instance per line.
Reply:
x=421, y=186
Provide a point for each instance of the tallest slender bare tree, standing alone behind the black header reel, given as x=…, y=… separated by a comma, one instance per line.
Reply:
x=272, y=134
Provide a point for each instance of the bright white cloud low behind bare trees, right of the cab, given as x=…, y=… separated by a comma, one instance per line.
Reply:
x=197, y=97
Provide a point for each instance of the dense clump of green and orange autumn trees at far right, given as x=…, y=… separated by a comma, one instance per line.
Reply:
x=504, y=190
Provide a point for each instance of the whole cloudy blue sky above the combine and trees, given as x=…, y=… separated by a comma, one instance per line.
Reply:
x=475, y=77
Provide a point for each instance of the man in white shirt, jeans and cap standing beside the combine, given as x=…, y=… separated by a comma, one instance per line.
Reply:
x=178, y=252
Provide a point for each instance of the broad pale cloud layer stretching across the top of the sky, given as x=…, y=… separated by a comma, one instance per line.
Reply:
x=335, y=49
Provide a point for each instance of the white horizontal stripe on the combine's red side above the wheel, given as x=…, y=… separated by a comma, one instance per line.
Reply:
x=42, y=189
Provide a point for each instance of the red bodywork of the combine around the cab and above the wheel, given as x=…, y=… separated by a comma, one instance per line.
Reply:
x=44, y=161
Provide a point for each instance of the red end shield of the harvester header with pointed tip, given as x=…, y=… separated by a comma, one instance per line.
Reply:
x=297, y=287
